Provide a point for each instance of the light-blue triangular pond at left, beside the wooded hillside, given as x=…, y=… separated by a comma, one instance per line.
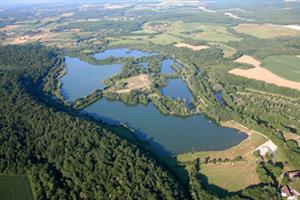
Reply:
x=83, y=78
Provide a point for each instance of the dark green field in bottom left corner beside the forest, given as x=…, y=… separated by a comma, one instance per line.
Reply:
x=15, y=188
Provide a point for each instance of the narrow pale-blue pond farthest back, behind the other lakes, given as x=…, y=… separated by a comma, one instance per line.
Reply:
x=122, y=52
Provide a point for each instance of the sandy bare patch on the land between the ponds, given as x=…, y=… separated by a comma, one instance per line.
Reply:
x=134, y=83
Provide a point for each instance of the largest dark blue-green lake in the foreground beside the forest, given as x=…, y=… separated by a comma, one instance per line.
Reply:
x=175, y=134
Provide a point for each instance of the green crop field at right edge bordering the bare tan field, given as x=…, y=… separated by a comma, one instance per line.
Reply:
x=287, y=67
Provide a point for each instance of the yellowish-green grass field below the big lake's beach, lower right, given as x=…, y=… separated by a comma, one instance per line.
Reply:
x=232, y=176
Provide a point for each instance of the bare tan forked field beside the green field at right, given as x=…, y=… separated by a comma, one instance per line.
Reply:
x=262, y=74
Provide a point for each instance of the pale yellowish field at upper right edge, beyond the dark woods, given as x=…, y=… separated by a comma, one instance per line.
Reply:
x=265, y=31
